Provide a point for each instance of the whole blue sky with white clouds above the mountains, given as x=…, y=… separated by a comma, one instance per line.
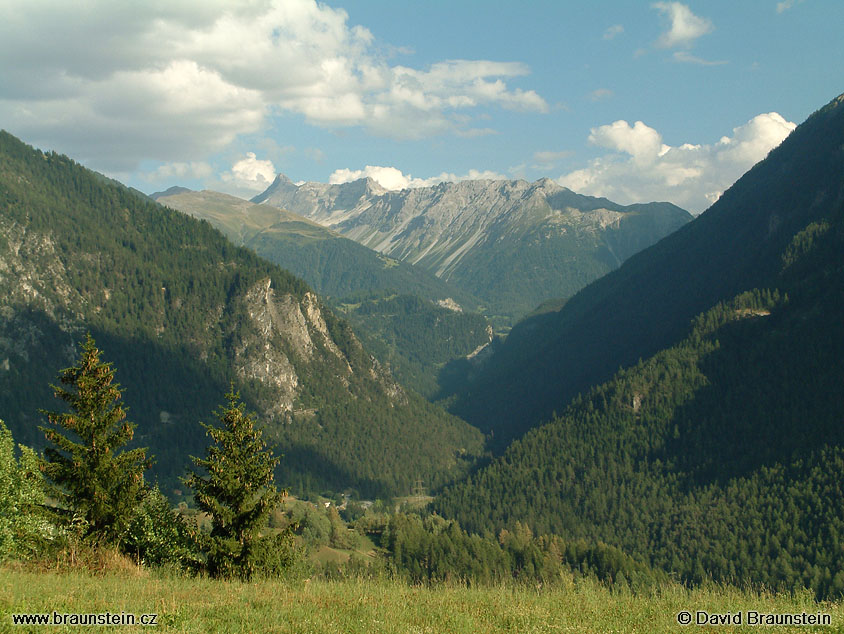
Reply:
x=635, y=101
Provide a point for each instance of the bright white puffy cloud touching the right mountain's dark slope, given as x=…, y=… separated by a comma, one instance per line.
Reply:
x=641, y=167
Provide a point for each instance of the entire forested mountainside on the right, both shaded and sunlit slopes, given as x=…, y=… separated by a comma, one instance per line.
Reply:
x=722, y=455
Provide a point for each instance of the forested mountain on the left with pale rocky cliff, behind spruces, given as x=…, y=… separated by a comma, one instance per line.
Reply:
x=181, y=312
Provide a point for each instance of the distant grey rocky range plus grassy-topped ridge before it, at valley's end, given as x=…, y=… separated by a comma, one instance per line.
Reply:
x=548, y=240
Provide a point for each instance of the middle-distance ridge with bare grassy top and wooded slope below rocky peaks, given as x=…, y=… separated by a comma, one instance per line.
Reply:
x=409, y=318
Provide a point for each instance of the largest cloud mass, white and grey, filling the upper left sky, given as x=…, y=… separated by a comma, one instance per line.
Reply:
x=167, y=81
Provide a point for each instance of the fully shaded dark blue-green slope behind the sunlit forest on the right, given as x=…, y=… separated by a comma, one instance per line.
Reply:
x=648, y=303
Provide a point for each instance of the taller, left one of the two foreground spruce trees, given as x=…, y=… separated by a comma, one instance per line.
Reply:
x=91, y=478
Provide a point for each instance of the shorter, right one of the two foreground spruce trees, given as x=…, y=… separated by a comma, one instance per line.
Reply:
x=238, y=491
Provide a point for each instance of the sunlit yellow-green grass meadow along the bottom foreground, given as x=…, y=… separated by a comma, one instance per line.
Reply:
x=204, y=605
